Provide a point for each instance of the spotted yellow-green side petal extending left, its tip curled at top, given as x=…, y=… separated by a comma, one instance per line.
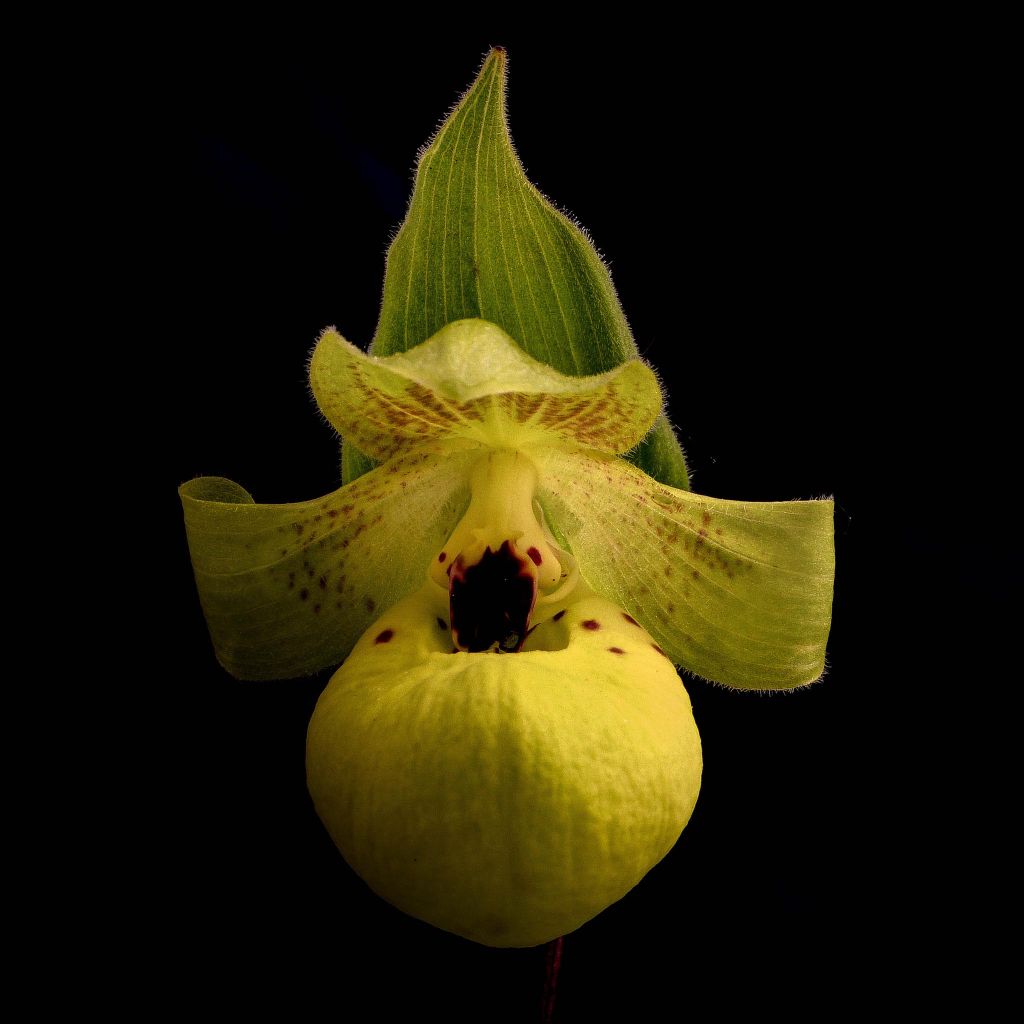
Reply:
x=288, y=589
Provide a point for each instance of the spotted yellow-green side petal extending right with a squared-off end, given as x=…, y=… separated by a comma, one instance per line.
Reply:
x=738, y=592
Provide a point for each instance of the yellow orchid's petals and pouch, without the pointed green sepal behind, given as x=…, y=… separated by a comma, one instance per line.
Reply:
x=507, y=747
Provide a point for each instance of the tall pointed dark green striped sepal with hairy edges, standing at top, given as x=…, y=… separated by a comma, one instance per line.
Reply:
x=480, y=241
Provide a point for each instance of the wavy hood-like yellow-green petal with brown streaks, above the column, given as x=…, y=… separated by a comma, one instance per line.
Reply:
x=473, y=380
